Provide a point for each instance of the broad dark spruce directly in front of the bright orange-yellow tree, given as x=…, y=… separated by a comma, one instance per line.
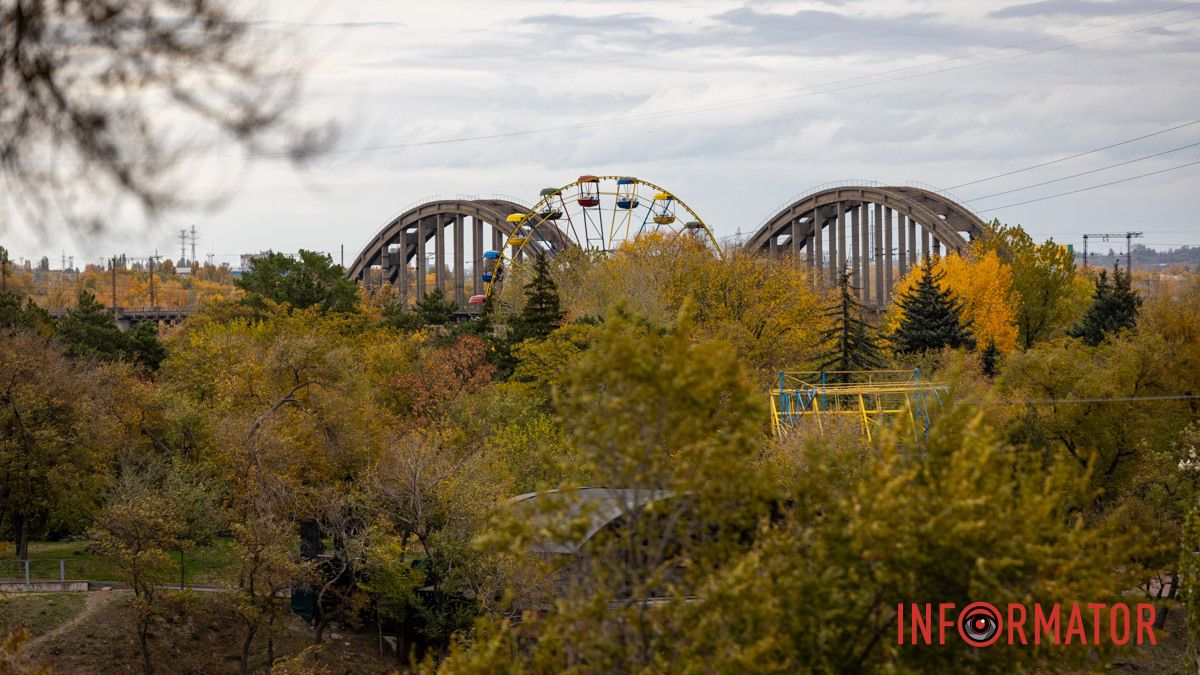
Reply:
x=933, y=318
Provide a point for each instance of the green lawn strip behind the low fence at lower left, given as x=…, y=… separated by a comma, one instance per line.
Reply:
x=206, y=565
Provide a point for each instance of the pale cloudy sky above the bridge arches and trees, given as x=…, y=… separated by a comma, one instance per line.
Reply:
x=739, y=107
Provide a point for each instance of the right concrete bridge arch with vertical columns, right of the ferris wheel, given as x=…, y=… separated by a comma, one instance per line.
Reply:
x=877, y=232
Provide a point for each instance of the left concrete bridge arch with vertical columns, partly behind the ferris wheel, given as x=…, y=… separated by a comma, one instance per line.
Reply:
x=454, y=232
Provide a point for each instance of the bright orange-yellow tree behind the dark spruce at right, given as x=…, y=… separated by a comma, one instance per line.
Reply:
x=986, y=286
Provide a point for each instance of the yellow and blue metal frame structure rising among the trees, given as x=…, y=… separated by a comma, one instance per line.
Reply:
x=815, y=399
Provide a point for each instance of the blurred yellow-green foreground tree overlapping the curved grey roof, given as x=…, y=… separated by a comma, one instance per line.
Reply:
x=665, y=425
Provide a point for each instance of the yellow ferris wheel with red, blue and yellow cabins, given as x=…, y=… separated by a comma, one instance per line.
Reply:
x=595, y=213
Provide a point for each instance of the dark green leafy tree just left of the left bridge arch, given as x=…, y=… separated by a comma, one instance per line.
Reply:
x=309, y=280
